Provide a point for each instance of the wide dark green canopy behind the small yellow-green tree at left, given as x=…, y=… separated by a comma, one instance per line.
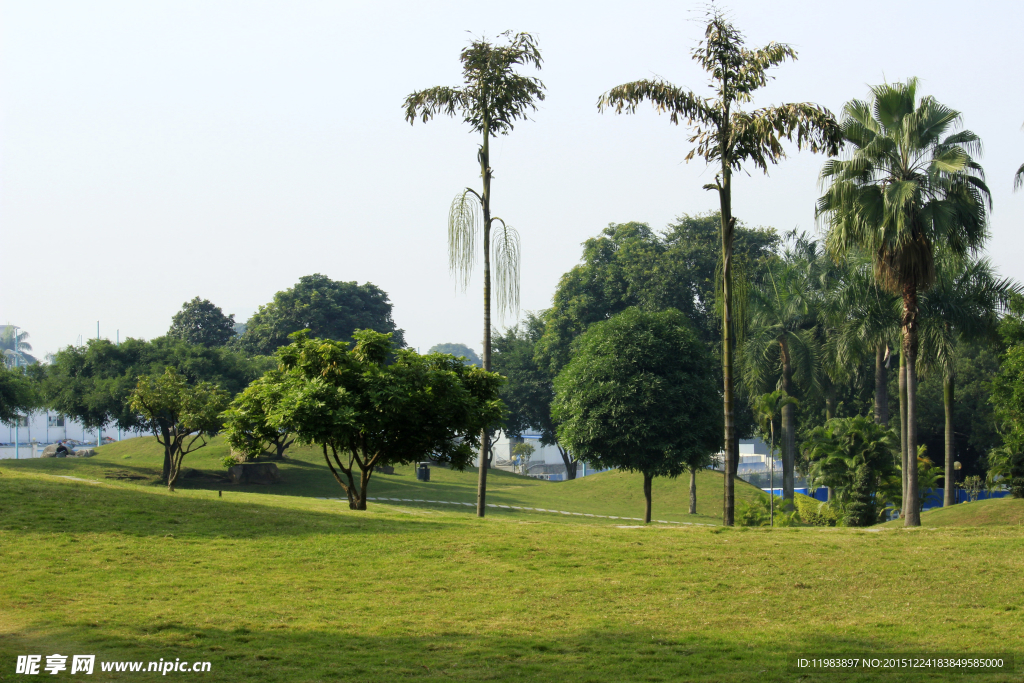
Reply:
x=93, y=383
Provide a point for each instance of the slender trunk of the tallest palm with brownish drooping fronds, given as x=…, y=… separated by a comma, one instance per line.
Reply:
x=729, y=225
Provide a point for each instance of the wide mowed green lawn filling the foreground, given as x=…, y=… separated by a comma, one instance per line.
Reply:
x=273, y=587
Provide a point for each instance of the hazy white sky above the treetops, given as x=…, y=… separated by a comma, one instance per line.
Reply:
x=153, y=152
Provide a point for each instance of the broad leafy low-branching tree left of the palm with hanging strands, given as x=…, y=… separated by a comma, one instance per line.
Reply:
x=365, y=412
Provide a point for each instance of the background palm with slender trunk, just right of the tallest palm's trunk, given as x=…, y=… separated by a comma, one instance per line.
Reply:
x=781, y=349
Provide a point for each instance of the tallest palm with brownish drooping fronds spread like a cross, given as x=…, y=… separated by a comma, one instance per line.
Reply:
x=731, y=138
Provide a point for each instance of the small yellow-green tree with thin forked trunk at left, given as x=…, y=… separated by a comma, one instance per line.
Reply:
x=182, y=415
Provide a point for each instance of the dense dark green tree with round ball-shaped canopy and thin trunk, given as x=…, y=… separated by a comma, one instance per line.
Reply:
x=639, y=395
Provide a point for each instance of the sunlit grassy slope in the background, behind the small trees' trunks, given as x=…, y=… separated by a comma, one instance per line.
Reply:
x=305, y=474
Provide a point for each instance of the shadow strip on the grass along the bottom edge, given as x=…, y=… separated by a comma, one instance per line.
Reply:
x=277, y=653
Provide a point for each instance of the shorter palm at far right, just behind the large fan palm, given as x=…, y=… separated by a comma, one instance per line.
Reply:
x=963, y=306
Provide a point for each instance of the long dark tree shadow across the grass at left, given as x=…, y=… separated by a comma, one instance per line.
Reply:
x=57, y=507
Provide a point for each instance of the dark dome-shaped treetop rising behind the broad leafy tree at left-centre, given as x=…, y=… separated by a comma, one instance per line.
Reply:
x=329, y=309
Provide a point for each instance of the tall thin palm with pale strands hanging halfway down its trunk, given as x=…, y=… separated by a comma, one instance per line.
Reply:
x=493, y=98
